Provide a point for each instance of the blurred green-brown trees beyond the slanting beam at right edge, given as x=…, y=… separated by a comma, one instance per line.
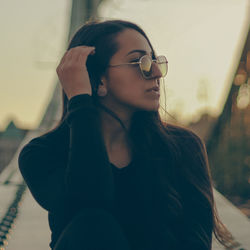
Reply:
x=229, y=145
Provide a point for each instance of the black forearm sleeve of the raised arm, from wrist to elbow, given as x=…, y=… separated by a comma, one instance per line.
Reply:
x=89, y=178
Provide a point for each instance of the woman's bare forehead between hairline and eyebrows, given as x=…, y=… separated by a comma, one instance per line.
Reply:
x=129, y=40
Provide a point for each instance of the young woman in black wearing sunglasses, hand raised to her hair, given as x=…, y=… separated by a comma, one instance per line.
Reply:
x=111, y=174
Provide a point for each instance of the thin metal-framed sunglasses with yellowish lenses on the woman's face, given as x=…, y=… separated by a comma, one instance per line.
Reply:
x=145, y=63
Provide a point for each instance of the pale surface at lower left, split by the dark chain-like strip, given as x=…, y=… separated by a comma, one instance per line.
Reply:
x=31, y=229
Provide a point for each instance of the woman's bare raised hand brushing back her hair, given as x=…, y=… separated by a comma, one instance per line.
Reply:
x=72, y=71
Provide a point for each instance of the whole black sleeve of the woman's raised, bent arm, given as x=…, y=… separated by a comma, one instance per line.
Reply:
x=86, y=179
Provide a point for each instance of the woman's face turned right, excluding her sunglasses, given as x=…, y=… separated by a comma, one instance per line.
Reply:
x=127, y=89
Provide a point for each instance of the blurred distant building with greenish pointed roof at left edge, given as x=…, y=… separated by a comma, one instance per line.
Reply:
x=9, y=142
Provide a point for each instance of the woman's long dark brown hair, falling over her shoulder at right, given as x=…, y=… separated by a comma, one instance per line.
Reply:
x=158, y=138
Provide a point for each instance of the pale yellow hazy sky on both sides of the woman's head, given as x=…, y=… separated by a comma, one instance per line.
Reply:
x=200, y=38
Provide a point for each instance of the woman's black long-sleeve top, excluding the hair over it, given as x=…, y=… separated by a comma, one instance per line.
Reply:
x=68, y=171
